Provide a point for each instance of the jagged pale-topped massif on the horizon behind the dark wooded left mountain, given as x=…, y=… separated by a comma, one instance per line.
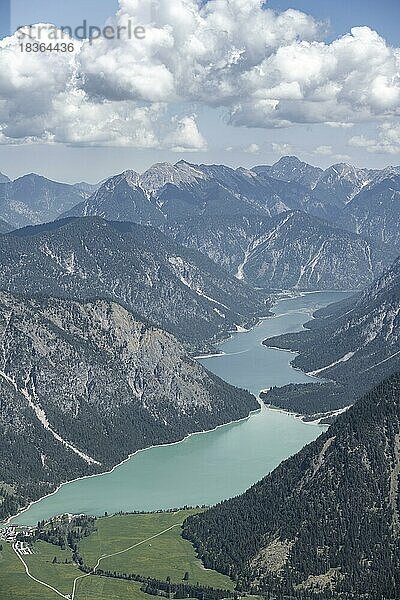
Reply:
x=171, y=192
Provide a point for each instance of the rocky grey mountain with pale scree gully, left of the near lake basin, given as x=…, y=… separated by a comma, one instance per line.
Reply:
x=83, y=384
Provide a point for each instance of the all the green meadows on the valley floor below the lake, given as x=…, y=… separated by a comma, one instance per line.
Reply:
x=164, y=555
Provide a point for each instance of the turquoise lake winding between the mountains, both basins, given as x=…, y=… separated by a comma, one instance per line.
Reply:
x=207, y=467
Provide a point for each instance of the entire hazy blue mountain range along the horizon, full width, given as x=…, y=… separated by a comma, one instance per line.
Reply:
x=226, y=213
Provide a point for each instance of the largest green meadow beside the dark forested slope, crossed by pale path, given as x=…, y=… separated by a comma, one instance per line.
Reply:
x=168, y=555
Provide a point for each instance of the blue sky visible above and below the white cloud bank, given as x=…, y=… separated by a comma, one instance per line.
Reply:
x=242, y=143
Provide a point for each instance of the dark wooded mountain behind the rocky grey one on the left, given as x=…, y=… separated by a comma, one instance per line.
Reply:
x=175, y=288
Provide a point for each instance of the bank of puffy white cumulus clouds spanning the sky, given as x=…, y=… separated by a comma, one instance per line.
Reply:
x=266, y=69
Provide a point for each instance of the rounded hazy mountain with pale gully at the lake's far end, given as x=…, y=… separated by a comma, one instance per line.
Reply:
x=297, y=251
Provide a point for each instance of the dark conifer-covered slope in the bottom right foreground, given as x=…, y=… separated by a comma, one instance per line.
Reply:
x=325, y=523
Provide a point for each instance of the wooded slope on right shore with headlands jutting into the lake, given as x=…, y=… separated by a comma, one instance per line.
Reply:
x=351, y=345
